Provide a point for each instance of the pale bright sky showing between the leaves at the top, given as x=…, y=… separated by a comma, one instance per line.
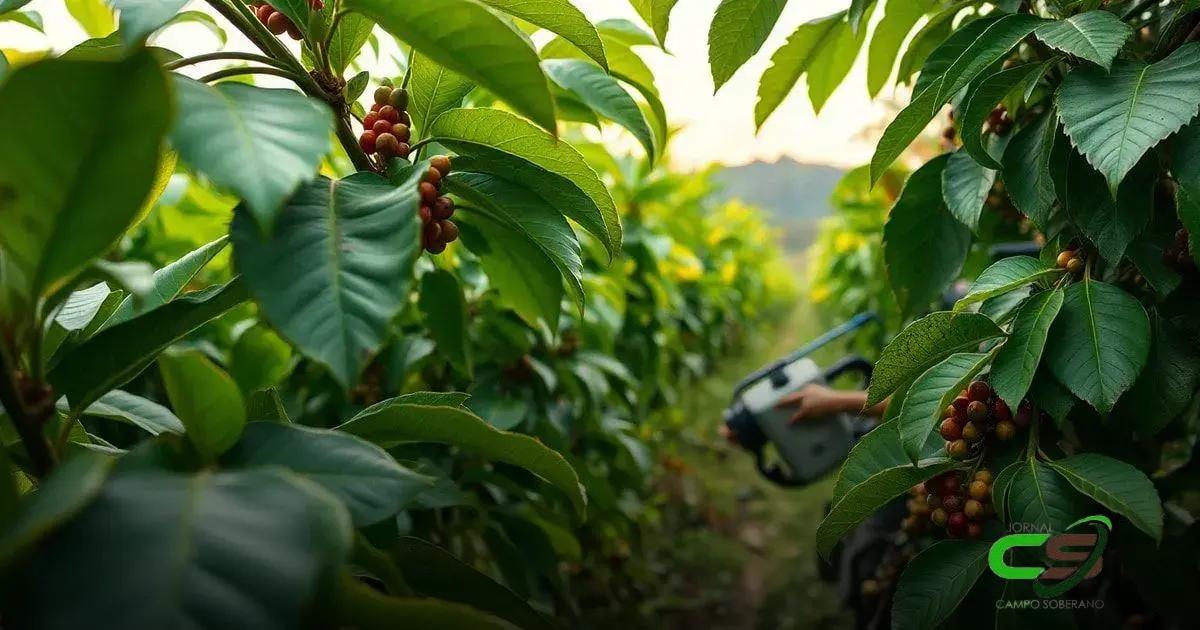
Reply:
x=715, y=128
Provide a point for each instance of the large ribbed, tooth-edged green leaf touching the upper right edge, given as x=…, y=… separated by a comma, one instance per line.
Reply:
x=1114, y=118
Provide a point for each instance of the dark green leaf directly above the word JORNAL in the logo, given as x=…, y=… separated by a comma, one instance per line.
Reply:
x=1041, y=499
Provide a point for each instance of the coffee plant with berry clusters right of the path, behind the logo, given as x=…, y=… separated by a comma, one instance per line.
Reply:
x=1076, y=121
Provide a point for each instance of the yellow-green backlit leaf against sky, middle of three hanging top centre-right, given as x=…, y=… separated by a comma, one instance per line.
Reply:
x=807, y=50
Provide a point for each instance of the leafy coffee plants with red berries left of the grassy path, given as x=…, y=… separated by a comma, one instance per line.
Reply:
x=235, y=392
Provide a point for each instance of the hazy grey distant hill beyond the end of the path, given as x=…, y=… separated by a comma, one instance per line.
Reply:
x=795, y=195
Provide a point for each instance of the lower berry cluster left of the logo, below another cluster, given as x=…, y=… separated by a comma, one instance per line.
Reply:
x=958, y=503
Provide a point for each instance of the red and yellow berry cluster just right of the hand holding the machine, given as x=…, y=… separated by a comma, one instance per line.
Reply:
x=977, y=413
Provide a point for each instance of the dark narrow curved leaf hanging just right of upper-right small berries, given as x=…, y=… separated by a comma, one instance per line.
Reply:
x=1028, y=169
